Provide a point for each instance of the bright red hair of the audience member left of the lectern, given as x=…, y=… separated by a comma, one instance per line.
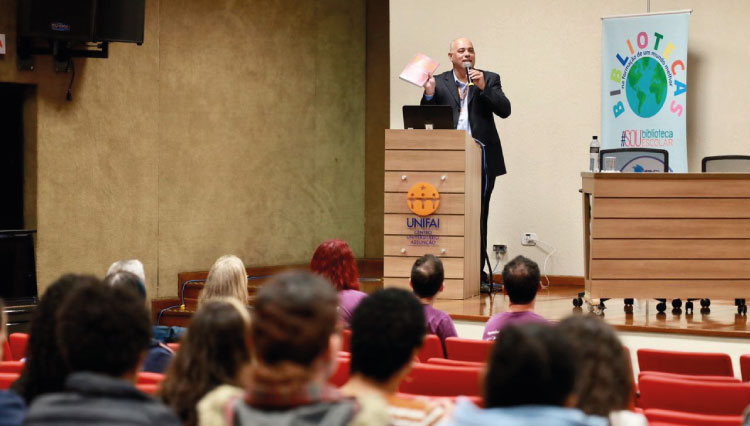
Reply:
x=335, y=261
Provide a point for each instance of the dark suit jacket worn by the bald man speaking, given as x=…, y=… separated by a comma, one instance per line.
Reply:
x=482, y=106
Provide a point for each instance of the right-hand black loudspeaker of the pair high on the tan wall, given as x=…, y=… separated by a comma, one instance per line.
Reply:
x=120, y=20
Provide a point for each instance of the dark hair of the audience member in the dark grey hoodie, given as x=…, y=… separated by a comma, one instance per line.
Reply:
x=103, y=329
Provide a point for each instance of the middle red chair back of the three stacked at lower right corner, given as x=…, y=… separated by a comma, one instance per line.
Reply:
x=692, y=396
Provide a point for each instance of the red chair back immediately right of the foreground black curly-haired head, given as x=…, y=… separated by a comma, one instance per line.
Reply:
x=440, y=380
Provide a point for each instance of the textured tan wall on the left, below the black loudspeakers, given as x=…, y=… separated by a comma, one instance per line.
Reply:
x=238, y=127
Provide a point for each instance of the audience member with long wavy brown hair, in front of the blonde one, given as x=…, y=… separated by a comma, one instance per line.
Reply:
x=214, y=352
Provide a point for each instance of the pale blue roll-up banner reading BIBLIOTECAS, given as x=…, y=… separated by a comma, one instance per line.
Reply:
x=644, y=83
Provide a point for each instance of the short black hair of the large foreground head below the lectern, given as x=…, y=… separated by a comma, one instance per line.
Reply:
x=387, y=327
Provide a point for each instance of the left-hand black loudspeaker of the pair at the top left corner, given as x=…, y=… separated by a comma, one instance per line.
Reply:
x=57, y=19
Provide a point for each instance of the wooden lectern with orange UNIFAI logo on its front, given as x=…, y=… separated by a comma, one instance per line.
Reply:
x=428, y=170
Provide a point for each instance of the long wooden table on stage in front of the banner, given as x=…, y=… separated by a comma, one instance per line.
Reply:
x=667, y=235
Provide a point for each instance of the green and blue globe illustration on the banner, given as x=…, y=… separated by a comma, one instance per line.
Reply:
x=646, y=87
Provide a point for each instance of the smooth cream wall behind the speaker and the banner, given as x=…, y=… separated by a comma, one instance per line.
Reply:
x=548, y=55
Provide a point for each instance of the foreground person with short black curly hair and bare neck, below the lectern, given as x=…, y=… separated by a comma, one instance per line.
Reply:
x=388, y=329
